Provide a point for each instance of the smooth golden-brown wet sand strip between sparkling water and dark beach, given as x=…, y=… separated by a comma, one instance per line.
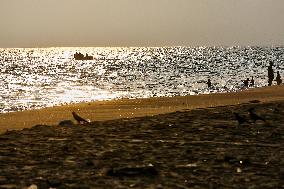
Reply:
x=129, y=108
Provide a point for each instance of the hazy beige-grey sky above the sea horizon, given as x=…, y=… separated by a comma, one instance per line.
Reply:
x=45, y=23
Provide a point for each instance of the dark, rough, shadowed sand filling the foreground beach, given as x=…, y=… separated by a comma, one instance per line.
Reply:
x=201, y=148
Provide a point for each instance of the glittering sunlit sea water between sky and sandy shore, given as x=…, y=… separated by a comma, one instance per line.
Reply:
x=41, y=77
